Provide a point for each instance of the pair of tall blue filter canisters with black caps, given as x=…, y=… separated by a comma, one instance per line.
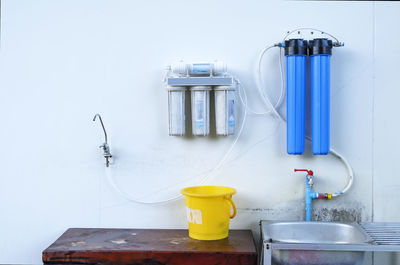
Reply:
x=296, y=51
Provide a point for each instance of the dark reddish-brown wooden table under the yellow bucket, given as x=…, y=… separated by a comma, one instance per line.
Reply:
x=150, y=247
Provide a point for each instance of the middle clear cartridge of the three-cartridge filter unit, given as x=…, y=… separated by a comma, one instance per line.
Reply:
x=200, y=100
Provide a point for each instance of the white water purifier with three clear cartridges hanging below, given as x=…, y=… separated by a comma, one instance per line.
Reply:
x=201, y=80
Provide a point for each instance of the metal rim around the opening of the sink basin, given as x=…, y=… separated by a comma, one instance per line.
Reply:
x=266, y=236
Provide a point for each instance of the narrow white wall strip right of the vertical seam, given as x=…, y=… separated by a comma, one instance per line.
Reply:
x=386, y=183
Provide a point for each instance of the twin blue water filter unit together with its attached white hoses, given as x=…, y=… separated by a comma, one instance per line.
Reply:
x=297, y=50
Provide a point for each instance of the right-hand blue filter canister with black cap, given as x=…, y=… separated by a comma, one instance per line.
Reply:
x=320, y=51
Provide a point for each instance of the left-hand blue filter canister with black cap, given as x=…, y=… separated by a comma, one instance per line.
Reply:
x=296, y=53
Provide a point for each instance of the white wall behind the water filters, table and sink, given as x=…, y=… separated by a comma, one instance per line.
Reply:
x=63, y=61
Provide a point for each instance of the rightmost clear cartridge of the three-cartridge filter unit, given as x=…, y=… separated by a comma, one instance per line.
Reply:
x=224, y=110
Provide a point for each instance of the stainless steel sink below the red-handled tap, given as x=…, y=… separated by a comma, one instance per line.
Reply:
x=315, y=234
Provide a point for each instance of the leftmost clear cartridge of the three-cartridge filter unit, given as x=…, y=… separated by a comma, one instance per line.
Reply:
x=176, y=110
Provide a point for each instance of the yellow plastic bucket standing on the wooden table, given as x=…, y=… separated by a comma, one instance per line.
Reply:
x=208, y=210
